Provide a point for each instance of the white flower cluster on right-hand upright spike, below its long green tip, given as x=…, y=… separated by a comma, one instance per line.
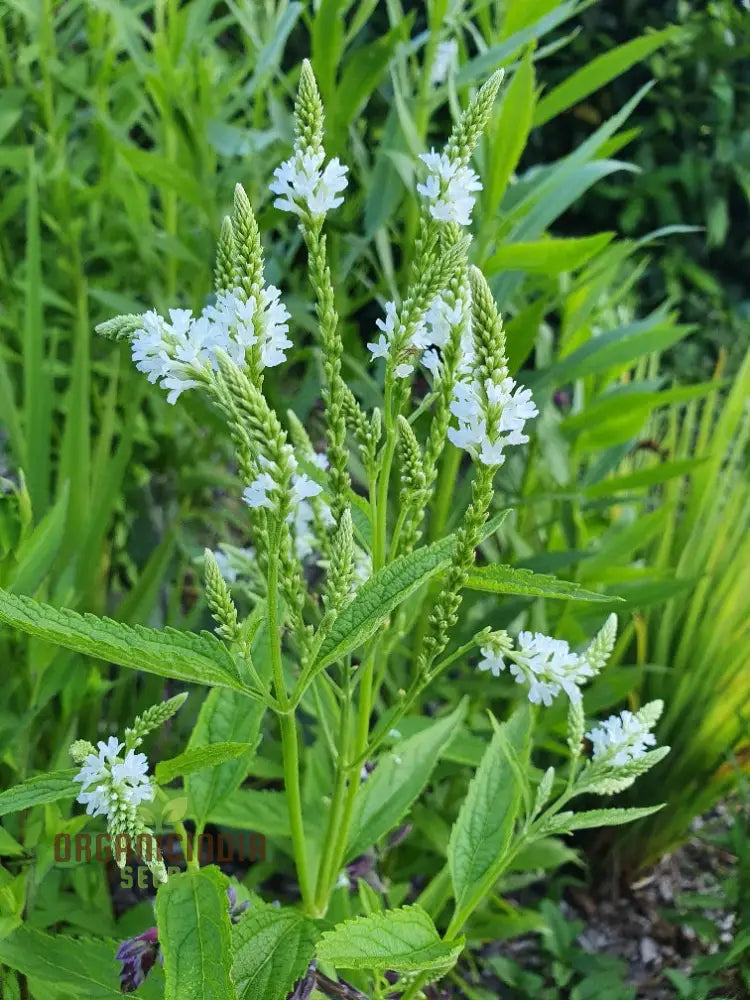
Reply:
x=490, y=417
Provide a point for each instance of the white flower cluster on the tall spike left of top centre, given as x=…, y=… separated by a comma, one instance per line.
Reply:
x=304, y=186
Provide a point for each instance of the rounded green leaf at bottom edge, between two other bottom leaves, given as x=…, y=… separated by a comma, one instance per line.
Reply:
x=272, y=948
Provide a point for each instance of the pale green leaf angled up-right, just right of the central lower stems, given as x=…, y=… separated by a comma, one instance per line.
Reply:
x=396, y=782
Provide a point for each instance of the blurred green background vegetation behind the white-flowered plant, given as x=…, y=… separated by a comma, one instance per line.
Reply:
x=613, y=226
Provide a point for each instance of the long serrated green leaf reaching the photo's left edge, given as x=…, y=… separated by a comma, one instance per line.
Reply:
x=198, y=659
